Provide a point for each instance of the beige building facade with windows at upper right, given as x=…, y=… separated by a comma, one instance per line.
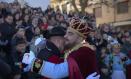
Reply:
x=114, y=12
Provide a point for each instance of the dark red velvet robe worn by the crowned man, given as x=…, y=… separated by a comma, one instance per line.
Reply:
x=82, y=63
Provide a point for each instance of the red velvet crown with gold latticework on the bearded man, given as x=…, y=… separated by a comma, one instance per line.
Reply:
x=80, y=27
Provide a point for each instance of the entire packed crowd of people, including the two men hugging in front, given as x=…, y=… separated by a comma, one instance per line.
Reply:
x=42, y=34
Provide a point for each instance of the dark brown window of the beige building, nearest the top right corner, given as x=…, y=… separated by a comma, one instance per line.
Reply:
x=122, y=7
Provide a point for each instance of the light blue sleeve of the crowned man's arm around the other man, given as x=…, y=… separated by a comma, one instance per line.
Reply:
x=56, y=71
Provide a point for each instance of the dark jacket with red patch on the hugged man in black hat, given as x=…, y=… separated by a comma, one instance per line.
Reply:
x=50, y=53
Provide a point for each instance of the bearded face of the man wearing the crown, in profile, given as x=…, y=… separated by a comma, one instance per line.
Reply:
x=71, y=38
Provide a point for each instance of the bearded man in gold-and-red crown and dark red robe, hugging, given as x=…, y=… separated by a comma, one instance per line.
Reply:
x=80, y=60
